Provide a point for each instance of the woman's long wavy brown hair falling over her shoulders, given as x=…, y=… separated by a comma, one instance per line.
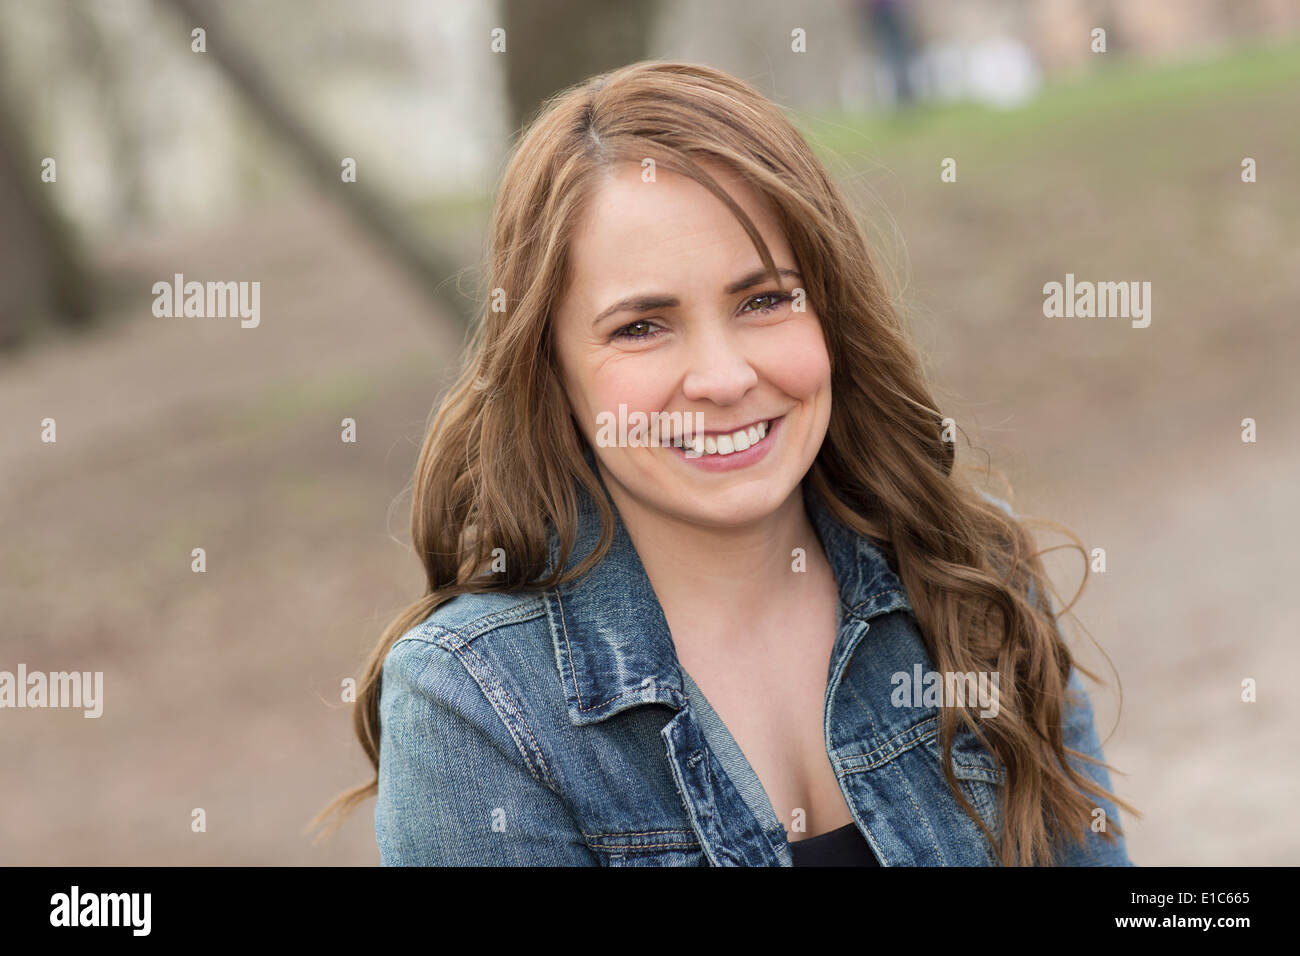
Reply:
x=484, y=481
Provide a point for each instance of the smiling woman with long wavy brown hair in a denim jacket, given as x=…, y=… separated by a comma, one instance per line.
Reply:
x=772, y=626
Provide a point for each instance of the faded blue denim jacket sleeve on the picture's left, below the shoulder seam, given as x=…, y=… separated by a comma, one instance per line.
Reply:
x=458, y=786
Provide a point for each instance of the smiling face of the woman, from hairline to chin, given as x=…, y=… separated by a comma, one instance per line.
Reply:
x=668, y=310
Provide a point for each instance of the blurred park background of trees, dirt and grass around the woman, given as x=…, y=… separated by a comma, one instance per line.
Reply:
x=133, y=149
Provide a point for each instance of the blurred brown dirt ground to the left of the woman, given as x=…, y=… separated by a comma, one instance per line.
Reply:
x=223, y=689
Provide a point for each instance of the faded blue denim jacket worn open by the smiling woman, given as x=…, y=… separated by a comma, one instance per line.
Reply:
x=560, y=729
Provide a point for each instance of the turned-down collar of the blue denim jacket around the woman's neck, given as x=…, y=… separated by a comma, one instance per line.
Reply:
x=613, y=646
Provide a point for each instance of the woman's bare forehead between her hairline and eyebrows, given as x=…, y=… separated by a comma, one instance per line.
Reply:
x=634, y=230
